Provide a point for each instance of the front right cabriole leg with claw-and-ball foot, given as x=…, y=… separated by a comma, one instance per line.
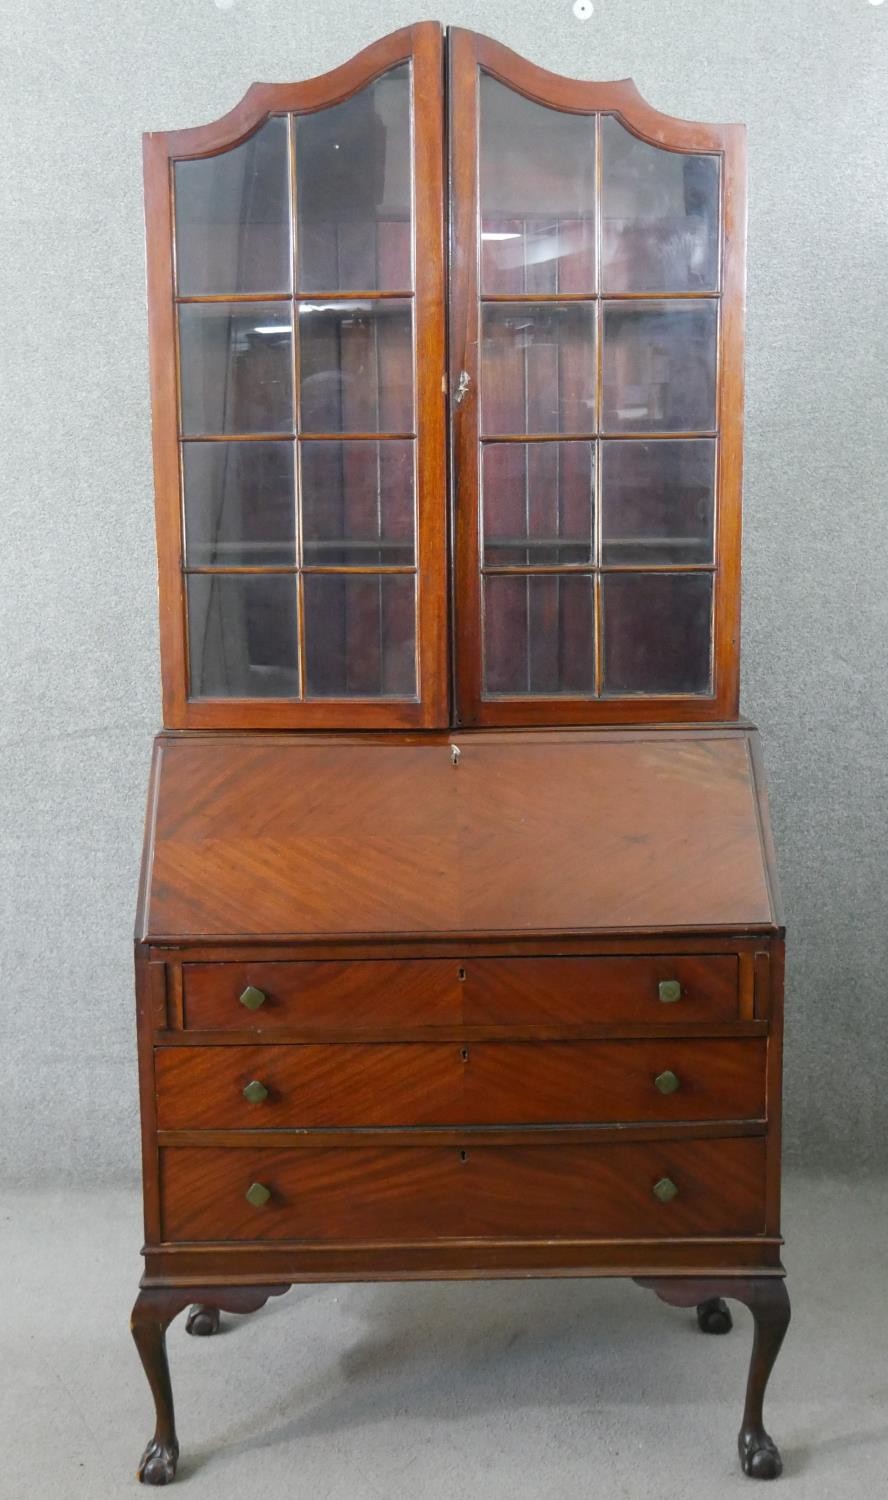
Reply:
x=769, y=1303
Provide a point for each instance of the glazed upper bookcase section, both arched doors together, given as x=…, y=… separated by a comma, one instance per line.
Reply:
x=298, y=317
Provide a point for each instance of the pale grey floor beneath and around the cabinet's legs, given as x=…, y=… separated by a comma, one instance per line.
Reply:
x=512, y=1391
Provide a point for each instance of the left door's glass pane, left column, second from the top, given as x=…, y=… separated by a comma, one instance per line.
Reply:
x=236, y=367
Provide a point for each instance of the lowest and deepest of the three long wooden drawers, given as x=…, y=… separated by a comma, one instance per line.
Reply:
x=419, y=1193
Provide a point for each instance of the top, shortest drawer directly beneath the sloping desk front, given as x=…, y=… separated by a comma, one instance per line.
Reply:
x=374, y=994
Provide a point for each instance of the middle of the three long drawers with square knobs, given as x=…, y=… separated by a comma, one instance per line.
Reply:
x=446, y=1084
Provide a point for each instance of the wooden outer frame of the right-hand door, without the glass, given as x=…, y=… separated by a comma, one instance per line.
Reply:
x=470, y=55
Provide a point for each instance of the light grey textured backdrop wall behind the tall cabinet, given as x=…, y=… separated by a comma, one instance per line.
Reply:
x=80, y=686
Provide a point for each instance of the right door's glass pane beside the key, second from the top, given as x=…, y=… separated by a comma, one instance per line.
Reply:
x=538, y=368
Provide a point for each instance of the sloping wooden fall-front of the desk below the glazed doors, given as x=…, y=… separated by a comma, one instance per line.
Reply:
x=589, y=830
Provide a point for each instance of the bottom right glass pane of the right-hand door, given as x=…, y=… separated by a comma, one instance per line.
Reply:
x=658, y=632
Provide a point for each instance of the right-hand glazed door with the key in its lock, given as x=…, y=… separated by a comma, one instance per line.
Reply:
x=596, y=290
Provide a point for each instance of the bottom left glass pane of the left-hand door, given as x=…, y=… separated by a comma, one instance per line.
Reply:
x=242, y=635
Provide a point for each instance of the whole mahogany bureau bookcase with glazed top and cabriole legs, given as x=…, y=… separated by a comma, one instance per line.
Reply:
x=458, y=946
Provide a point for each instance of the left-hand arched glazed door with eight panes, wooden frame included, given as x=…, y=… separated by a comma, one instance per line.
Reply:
x=296, y=277
